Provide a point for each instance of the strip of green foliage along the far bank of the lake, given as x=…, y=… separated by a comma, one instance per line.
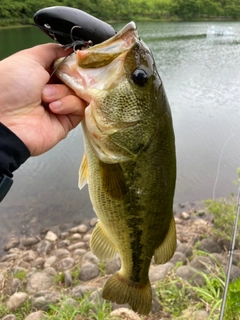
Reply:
x=22, y=11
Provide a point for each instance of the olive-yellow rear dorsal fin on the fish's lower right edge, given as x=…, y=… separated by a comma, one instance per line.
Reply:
x=167, y=248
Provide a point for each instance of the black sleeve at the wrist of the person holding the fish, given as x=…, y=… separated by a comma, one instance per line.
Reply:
x=13, y=153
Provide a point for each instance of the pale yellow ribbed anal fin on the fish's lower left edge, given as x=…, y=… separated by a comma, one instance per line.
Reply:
x=101, y=245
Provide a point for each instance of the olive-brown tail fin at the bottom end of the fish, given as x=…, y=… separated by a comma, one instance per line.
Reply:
x=120, y=290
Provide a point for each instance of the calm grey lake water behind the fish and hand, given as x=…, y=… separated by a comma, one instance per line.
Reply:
x=202, y=81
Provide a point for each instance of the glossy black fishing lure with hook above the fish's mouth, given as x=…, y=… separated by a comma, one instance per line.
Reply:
x=72, y=27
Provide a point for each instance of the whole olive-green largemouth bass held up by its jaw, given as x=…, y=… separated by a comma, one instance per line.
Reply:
x=129, y=162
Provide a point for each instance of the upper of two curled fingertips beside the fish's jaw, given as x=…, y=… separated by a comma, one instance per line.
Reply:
x=53, y=92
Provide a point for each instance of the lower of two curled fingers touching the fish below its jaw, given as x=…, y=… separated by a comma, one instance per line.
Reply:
x=68, y=105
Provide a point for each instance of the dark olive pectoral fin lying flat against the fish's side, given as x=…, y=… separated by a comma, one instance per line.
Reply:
x=113, y=180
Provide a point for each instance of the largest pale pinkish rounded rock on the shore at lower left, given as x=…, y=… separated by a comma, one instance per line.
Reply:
x=39, y=281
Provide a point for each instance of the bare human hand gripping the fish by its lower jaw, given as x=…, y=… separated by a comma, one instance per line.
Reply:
x=23, y=86
